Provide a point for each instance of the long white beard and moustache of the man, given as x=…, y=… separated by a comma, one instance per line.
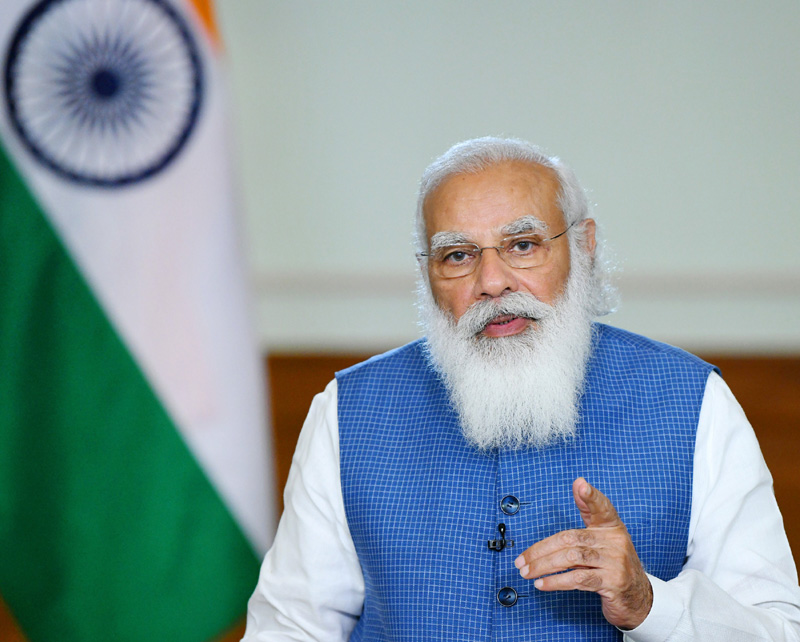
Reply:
x=522, y=390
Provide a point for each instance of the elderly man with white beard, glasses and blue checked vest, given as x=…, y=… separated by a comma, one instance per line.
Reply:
x=524, y=473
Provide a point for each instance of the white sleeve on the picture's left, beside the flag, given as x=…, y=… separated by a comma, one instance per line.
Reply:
x=311, y=586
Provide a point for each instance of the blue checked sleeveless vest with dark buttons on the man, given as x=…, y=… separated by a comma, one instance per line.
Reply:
x=422, y=504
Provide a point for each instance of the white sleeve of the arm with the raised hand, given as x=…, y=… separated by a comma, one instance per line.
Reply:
x=739, y=582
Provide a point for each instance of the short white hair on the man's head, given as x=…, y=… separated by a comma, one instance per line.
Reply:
x=479, y=154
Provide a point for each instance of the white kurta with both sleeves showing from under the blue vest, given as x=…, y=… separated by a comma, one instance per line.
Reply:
x=739, y=581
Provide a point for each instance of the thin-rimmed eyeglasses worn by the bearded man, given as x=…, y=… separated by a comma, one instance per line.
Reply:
x=520, y=251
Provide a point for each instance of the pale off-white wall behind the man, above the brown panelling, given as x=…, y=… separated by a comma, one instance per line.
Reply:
x=682, y=120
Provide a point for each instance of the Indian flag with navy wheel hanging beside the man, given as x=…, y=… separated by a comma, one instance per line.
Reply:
x=135, y=498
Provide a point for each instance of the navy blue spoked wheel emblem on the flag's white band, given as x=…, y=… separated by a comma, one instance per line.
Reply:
x=103, y=93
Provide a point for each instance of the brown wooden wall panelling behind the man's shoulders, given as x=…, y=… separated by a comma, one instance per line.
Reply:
x=768, y=389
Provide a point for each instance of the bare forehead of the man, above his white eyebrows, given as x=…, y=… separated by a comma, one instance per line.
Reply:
x=480, y=205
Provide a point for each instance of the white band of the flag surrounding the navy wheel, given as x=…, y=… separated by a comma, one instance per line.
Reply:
x=164, y=261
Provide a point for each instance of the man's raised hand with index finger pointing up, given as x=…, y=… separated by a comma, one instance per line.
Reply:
x=599, y=558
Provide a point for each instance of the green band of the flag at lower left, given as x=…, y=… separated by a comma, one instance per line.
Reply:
x=109, y=529
